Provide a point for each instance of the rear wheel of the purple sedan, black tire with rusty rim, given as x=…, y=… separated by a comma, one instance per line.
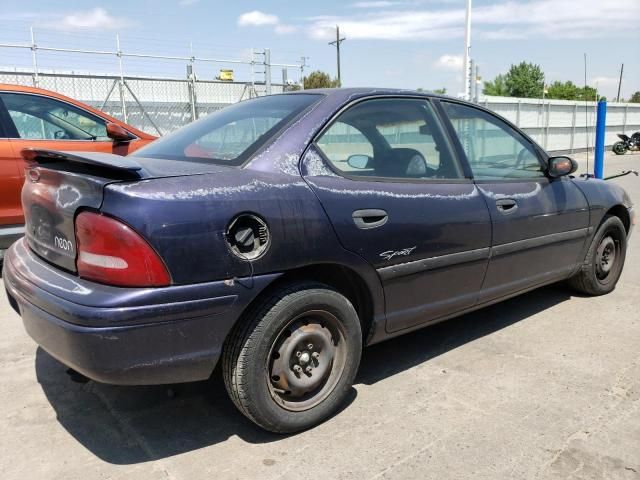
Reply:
x=268, y=339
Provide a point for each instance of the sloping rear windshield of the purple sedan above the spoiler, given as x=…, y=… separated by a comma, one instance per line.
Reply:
x=231, y=135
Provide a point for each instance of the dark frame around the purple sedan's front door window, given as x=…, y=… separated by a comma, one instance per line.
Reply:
x=540, y=154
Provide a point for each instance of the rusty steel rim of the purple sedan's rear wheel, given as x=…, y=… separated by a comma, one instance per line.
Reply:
x=306, y=360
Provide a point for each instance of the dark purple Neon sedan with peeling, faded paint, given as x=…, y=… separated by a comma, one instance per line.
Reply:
x=282, y=234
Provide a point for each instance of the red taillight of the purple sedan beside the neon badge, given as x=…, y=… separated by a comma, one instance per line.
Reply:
x=113, y=253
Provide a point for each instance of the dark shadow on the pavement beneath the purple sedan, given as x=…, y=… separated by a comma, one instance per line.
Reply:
x=128, y=425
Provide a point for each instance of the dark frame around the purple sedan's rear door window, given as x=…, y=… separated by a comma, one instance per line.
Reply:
x=446, y=134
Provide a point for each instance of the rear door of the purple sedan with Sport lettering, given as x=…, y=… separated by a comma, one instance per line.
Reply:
x=386, y=175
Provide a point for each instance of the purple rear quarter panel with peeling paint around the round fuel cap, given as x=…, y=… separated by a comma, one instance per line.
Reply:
x=185, y=219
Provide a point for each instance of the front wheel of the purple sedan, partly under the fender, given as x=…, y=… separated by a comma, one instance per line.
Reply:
x=600, y=271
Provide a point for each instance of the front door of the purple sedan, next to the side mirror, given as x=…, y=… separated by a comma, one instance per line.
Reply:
x=539, y=223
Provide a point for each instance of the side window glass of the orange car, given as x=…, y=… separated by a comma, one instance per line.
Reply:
x=41, y=118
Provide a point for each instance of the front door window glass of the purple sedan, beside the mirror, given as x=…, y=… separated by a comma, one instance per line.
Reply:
x=493, y=148
